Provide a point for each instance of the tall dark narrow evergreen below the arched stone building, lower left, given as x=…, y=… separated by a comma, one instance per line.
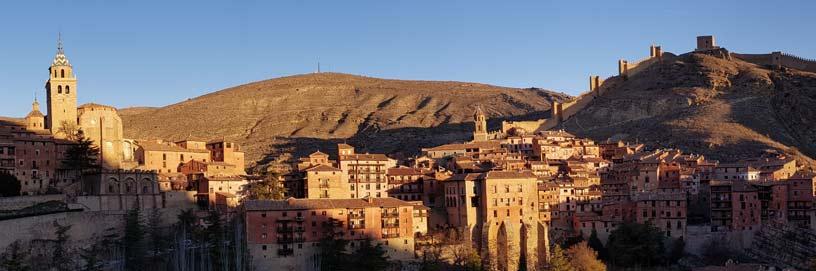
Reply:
x=133, y=240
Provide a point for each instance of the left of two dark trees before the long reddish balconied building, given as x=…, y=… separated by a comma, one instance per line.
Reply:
x=333, y=255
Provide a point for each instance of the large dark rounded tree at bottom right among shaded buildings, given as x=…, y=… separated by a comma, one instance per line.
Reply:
x=633, y=244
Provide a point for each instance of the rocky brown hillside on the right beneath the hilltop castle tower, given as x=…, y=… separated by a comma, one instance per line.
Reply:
x=722, y=107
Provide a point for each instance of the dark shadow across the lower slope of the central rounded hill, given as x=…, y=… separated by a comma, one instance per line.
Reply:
x=398, y=143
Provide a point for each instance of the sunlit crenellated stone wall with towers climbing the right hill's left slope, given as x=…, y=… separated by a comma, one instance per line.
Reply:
x=563, y=111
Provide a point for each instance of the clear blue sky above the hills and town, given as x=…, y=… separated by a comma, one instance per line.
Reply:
x=155, y=53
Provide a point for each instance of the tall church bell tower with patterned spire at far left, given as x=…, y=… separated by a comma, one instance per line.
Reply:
x=61, y=91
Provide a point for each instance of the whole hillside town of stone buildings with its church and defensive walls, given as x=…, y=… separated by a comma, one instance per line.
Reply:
x=518, y=198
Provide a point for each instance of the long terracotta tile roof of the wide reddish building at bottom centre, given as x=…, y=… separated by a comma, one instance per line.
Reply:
x=306, y=204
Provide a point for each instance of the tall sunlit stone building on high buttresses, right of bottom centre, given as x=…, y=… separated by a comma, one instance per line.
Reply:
x=498, y=211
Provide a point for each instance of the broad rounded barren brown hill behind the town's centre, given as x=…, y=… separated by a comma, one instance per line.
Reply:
x=307, y=112
